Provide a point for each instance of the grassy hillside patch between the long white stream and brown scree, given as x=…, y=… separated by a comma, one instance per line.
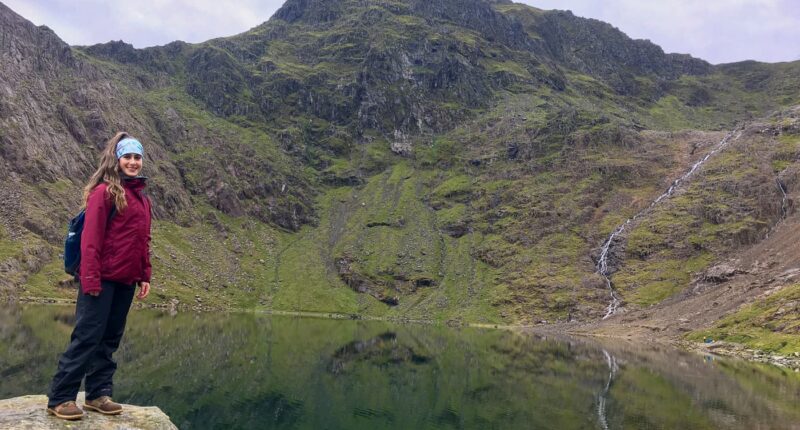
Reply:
x=723, y=207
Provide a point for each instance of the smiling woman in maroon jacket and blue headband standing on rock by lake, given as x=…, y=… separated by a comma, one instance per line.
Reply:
x=115, y=257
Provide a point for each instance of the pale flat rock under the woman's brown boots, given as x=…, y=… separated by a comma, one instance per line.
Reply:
x=29, y=412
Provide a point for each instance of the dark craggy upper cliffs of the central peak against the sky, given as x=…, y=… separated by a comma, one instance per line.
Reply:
x=413, y=66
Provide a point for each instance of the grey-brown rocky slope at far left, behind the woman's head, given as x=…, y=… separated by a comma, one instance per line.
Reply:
x=59, y=106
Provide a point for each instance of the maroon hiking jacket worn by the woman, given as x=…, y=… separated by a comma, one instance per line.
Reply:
x=119, y=251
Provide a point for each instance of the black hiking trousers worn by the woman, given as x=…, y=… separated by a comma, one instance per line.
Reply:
x=100, y=322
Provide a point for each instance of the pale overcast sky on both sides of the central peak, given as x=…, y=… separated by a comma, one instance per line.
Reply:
x=719, y=31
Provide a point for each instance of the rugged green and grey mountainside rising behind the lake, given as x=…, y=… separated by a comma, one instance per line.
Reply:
x=454, y=160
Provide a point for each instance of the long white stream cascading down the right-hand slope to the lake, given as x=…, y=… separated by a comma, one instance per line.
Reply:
x=602, y=261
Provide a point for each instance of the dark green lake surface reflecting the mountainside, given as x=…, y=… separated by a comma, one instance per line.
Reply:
x=242, y=371
